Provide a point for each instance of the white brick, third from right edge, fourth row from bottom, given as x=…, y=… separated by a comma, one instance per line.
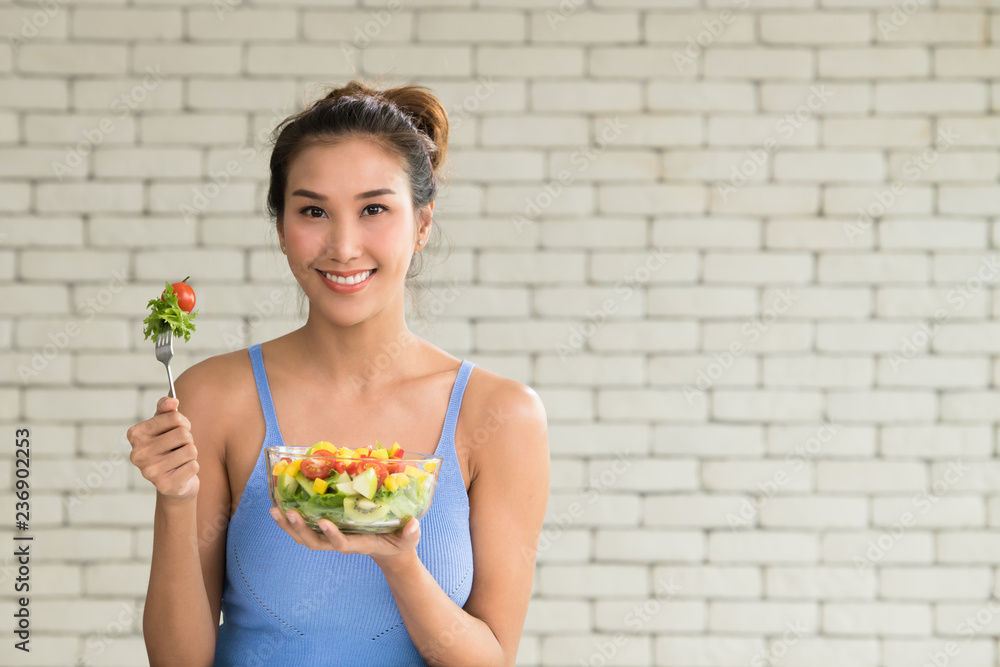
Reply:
x=770, y=548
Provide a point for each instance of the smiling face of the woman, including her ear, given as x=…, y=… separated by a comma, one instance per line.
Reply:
x=349, y=214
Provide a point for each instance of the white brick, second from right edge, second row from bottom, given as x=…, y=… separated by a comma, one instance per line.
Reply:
x=882, y=618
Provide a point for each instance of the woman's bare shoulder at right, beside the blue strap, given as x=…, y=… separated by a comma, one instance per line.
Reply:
x=507, y=415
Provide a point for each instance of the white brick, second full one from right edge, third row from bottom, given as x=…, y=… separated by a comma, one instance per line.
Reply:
x=819, y=583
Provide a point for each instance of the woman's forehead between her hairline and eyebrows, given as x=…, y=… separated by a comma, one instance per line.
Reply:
x=347, y=167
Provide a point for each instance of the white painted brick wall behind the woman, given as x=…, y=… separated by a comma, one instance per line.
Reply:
x=806, y=395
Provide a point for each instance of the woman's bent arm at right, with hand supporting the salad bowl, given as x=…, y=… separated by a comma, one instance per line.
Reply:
x=487, y=630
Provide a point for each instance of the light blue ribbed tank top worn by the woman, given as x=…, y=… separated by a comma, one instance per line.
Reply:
x=284, y=604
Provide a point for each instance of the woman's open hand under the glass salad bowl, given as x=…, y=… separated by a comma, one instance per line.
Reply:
x=380, y=547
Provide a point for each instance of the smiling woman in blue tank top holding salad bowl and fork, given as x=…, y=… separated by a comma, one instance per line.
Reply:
x=352, y=193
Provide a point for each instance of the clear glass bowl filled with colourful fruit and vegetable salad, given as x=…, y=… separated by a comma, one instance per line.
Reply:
x=364, y=490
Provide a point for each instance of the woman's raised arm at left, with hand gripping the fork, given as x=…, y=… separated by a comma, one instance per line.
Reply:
x=184, y=596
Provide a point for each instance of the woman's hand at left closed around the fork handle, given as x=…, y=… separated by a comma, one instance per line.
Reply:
x=164, y=452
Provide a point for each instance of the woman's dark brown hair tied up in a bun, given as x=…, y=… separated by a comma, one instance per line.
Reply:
x=408, y=122
